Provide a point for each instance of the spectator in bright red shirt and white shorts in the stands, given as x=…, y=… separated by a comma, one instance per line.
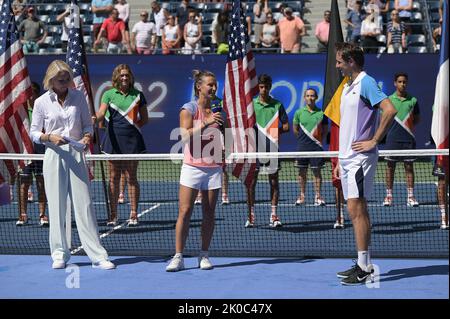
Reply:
x=115, y=33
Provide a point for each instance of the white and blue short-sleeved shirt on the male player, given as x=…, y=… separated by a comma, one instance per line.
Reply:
x=359, y=114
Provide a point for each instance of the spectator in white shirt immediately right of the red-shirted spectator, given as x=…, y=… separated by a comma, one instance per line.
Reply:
x=143, y=35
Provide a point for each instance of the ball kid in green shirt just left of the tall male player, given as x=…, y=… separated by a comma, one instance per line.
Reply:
x=310, y=127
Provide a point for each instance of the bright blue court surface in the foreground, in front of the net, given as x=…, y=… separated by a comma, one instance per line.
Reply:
x=232, y=278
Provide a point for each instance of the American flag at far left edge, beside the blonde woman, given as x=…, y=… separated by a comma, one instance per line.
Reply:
x=15, y=90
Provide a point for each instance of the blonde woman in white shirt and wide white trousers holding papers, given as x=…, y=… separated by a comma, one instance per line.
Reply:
x=63, y=113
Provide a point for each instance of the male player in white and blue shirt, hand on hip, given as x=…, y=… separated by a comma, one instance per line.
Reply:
x=360, y=131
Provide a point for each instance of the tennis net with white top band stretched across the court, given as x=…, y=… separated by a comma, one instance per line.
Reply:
x=308, y=228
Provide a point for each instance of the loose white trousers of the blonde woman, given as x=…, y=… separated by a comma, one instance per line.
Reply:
x=66, y=176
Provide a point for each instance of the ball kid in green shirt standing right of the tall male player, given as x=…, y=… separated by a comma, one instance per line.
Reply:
x=400, y=136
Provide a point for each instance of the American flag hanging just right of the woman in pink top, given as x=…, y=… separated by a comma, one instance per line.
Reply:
x=241, y=85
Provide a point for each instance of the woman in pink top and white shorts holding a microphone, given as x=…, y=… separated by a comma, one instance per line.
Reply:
x=201, y=129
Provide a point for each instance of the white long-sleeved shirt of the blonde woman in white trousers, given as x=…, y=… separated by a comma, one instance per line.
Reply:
x=72, y=119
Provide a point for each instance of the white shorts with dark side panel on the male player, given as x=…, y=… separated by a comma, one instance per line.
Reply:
x=357, y=175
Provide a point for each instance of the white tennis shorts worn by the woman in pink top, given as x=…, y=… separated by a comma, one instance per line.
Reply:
x=201, y=178
